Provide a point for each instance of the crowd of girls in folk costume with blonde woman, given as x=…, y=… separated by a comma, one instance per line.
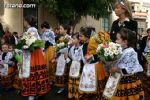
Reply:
x=50, y=66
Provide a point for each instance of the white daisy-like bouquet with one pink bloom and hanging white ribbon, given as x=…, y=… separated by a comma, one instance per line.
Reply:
x=109, y=53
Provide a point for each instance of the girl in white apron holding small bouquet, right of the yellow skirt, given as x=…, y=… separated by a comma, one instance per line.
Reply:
x=62, y=68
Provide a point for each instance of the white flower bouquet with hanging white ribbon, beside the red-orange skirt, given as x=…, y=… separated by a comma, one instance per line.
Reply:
x=27, y=44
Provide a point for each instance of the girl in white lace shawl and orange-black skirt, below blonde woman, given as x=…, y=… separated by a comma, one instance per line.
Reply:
x=129, y=86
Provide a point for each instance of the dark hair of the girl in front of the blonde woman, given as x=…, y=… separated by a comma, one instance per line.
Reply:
x=130, y=36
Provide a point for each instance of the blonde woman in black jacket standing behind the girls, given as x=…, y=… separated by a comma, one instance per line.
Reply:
x=123, y=11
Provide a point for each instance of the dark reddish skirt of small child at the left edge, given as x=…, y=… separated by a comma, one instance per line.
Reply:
x=7, y=81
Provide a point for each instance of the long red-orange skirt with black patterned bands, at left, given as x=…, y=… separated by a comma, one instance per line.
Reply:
x=38, y=82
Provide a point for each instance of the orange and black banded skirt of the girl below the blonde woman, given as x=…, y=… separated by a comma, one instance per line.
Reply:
x=129, y=88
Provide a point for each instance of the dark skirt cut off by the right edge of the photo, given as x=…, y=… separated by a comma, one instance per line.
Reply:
x=146, y=81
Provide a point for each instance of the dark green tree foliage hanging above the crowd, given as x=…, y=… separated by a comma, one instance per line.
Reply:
x=71, y=11
